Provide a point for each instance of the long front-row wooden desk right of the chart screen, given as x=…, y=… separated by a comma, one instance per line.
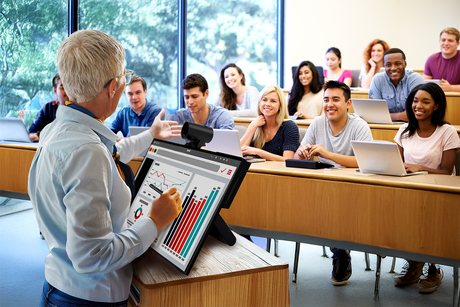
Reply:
x=413, y=217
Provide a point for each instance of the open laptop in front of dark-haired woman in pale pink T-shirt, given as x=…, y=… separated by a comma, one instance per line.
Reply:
x=380, y=157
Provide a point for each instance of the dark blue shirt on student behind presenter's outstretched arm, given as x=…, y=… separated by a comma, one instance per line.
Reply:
x=127, y=117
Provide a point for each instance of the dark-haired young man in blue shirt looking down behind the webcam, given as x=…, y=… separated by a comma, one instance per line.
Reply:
x=198, y=111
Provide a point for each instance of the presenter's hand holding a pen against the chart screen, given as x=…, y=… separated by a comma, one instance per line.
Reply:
x=166, y=208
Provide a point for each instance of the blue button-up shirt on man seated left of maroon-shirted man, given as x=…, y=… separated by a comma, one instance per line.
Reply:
x=383, y=88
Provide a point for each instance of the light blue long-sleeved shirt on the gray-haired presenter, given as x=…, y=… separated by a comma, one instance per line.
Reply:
x=81, y=205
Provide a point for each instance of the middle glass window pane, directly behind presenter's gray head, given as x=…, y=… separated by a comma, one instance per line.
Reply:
x=148, y=32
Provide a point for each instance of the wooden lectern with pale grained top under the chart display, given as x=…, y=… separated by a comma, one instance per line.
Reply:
x=239, y=275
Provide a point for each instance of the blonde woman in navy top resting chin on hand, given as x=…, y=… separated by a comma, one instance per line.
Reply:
x=271, y=135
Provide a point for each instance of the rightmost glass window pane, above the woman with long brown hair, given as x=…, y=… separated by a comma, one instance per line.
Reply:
x=243, y=32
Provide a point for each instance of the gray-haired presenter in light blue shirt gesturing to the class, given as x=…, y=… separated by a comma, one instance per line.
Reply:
x=80, y=198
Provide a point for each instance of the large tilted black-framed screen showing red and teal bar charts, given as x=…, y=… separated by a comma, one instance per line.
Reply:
x=207, y=181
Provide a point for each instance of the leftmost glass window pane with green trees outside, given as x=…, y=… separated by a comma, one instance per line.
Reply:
x=30, y=34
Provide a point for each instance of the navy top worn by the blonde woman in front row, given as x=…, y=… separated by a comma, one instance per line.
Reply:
x=286, y=138
